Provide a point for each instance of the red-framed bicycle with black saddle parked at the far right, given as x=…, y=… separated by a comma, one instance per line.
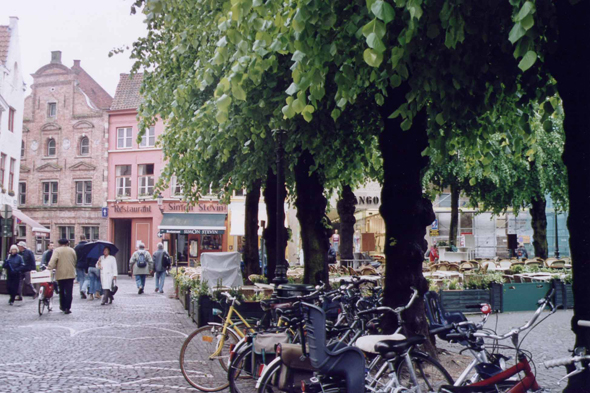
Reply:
x=490, y=374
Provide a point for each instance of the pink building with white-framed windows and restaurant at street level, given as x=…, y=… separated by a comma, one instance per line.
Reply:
x=133, y=210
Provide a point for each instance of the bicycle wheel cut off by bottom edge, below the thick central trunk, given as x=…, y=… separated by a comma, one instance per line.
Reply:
x=430, y=374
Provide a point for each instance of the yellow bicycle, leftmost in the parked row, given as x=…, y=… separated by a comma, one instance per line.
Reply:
x=204, y=356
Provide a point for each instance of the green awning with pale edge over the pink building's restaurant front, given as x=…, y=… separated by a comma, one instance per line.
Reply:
x=197, y=224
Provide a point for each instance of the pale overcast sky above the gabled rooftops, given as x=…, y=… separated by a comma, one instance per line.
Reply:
x=83, y=30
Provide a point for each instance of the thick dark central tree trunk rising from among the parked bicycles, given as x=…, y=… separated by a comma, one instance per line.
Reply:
x=405, y=211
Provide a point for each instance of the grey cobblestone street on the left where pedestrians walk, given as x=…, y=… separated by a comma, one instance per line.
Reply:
x=132, y=345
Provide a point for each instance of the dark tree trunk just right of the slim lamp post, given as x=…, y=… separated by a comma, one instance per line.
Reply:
x=311, y=213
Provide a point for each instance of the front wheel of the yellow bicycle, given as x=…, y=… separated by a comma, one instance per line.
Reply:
x=198, y=367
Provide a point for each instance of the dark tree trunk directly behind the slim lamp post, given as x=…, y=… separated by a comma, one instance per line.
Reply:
x=270, y=232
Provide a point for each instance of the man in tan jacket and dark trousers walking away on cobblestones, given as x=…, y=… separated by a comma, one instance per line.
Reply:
x=63, y=261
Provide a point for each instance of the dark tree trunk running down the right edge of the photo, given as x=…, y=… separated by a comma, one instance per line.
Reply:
x=573, y=82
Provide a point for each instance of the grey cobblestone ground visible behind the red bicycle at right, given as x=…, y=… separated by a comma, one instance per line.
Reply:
x=550, y=340
